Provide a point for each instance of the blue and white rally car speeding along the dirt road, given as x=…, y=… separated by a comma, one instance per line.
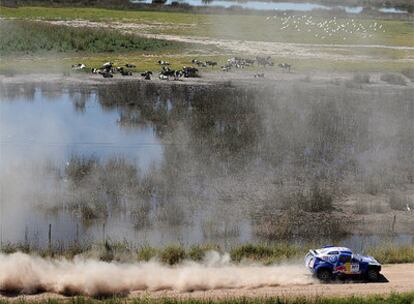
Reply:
x=332, y=262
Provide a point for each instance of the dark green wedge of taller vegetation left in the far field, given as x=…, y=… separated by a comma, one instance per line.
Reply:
x=26, y=37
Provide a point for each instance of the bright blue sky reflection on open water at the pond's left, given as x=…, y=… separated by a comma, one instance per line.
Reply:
x=58, y=124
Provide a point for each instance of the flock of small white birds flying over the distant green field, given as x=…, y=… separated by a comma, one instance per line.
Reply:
x=328, y=28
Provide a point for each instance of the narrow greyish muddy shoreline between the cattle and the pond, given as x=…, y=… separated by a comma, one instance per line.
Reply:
x=238, y=78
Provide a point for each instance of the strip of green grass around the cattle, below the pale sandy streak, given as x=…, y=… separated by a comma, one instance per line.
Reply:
x=62, y=64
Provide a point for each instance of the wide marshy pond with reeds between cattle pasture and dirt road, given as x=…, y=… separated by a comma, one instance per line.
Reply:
x=161, y=164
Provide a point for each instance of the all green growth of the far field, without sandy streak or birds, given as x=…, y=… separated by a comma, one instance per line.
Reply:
x=55, y=48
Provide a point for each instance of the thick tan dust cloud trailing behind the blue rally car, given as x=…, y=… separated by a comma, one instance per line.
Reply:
x=22, y=273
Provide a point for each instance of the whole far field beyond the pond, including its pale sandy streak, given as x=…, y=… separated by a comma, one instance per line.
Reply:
x=309, y=43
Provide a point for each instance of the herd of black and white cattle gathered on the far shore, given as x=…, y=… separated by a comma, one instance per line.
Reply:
x=108, y=69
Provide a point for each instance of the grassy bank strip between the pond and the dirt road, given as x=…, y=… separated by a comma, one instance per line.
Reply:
x=174, y=254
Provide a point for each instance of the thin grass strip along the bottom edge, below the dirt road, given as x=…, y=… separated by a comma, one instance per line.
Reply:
x=404, y=298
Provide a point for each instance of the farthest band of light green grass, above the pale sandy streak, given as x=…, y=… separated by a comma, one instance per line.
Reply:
x=231, y=26
